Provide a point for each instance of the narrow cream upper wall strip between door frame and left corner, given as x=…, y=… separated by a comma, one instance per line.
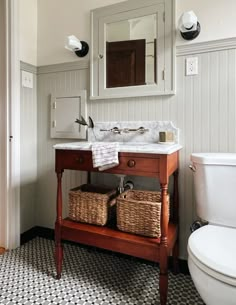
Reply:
x=28, y=31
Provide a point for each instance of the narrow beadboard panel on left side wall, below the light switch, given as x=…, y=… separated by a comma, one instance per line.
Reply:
x=28, y=151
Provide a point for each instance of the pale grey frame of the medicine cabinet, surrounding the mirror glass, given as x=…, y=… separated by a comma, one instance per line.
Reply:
x=165, y=68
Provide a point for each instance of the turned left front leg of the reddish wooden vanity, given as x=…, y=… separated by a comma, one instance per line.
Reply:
x=59, y=249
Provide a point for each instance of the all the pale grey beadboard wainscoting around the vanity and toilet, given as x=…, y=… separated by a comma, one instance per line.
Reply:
x=204, y=108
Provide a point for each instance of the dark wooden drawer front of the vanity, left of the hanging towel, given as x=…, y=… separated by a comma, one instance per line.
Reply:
x=74, y=159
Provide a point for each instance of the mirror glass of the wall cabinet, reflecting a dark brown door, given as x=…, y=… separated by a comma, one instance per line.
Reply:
x=131, y=52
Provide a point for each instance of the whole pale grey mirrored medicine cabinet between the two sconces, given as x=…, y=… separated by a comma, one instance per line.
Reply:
x=133, y=49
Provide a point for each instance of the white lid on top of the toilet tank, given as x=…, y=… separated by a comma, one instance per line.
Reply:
x=214, y=158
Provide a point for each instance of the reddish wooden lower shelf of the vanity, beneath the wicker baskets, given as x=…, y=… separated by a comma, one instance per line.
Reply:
x=115, y=240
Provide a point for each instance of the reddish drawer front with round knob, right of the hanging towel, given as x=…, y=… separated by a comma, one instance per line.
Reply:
x=138, y=164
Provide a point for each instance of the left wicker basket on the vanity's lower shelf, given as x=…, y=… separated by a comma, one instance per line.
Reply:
x=93, y=204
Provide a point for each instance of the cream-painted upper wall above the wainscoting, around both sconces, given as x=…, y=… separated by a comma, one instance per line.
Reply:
x=59, y=18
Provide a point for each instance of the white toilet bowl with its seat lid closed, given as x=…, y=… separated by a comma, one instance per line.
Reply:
x=212, y=264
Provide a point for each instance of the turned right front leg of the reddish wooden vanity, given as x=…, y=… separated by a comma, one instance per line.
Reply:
x=163, y=281
